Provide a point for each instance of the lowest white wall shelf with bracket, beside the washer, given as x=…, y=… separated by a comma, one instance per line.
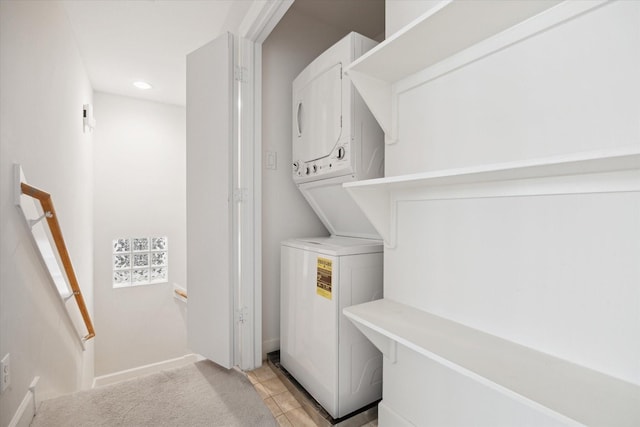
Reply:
x=556, y=386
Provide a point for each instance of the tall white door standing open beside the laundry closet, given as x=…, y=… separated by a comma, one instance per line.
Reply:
x=210, y=93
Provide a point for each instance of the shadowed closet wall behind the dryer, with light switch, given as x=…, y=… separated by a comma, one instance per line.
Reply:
x=294, y=43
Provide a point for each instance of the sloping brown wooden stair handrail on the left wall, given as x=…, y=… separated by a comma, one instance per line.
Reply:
x=56, y=232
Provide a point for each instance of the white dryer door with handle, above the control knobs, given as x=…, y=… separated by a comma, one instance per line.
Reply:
x=317, y=116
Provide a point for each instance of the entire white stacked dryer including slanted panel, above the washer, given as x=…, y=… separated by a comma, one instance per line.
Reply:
x=335, y=137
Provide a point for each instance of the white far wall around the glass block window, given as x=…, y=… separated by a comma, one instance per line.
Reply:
x=140, y=190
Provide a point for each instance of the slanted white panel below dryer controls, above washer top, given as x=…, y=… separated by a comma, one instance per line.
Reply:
x=336, y=208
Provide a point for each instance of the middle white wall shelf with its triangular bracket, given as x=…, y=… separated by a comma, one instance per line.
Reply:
x=593, y=172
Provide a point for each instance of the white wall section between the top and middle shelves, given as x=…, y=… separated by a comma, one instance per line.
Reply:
x=545, y=96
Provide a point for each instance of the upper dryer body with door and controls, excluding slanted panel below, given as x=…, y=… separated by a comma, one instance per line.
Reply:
x=333, y=132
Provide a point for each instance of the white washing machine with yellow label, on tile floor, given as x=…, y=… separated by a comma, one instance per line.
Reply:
x=319, y=346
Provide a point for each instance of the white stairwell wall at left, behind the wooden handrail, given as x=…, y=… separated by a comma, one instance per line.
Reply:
x=43, y=85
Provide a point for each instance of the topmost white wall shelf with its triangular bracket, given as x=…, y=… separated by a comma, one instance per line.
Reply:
x=445, y=32
